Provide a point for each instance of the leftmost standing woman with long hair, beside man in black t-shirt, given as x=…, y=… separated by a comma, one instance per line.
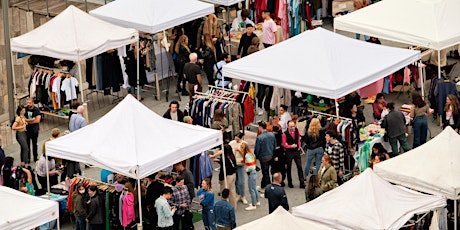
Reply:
x=19, y=126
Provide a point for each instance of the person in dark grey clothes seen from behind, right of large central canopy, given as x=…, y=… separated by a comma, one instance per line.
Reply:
x=395, y=125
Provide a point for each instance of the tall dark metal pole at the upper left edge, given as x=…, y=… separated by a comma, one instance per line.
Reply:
x=9, y=62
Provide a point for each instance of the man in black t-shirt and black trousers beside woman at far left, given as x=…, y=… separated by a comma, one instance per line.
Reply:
x=32, y=118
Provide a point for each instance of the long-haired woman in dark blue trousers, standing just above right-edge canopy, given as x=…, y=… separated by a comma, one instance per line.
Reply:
x=418, y=114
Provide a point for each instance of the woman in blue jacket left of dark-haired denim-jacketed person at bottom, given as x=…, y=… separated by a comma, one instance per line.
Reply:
x=206, y=198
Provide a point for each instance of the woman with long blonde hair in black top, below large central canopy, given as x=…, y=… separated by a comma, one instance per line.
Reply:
x=315, y=140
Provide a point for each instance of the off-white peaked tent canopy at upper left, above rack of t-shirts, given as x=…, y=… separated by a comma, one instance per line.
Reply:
x=73, y=35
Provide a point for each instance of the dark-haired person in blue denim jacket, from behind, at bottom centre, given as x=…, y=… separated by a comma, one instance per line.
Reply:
x=224, y=213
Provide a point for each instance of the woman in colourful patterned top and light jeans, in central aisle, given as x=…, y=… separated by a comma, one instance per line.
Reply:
x=250, y=168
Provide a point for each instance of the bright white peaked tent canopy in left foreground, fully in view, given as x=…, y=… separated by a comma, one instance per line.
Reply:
x=134, y=141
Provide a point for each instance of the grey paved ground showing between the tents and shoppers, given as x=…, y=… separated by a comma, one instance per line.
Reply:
x=295, y=195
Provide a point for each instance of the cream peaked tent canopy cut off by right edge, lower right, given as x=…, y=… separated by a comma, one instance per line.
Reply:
x=439, y=166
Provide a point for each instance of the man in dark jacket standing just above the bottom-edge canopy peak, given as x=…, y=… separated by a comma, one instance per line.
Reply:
x=275, y=194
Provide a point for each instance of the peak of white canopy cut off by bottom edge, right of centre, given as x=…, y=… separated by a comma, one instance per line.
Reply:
x=281, y=219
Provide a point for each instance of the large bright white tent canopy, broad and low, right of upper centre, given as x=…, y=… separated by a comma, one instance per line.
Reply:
x=339, y=65
